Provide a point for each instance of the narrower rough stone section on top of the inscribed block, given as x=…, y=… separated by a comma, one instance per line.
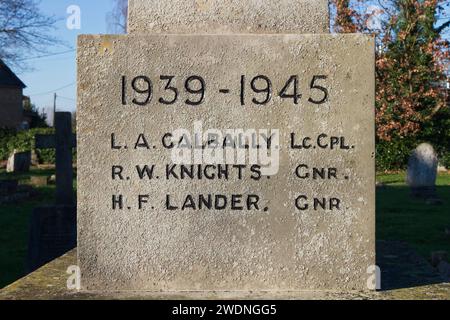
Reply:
x=231, y=16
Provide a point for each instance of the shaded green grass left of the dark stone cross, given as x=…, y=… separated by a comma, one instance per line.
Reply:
x=14, y=222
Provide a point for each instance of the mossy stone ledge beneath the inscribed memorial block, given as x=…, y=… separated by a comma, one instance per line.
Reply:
x=49, y=283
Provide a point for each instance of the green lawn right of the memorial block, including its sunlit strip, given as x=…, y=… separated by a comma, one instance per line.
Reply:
x=399, y=217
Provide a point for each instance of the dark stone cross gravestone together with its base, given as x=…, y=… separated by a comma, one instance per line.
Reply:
x=53, y=227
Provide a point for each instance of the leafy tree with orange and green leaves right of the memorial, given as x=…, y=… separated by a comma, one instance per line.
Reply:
x=412, y=57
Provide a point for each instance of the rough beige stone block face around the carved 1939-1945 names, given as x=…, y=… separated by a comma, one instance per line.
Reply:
x=278, y=249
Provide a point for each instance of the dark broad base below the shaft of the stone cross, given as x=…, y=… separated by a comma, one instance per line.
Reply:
x=53, y=232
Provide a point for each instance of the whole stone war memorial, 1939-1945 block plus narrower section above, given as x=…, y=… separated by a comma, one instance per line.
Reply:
x=159, y=206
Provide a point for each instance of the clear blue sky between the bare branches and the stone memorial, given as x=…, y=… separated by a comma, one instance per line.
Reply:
x=50, y=73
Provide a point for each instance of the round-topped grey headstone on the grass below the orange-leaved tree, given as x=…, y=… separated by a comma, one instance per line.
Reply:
x=422, y=172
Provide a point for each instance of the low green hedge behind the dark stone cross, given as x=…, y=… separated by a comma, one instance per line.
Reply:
x=24, y=141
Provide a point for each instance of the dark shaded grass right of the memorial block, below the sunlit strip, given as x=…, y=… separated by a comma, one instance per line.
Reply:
x=409, y=230
